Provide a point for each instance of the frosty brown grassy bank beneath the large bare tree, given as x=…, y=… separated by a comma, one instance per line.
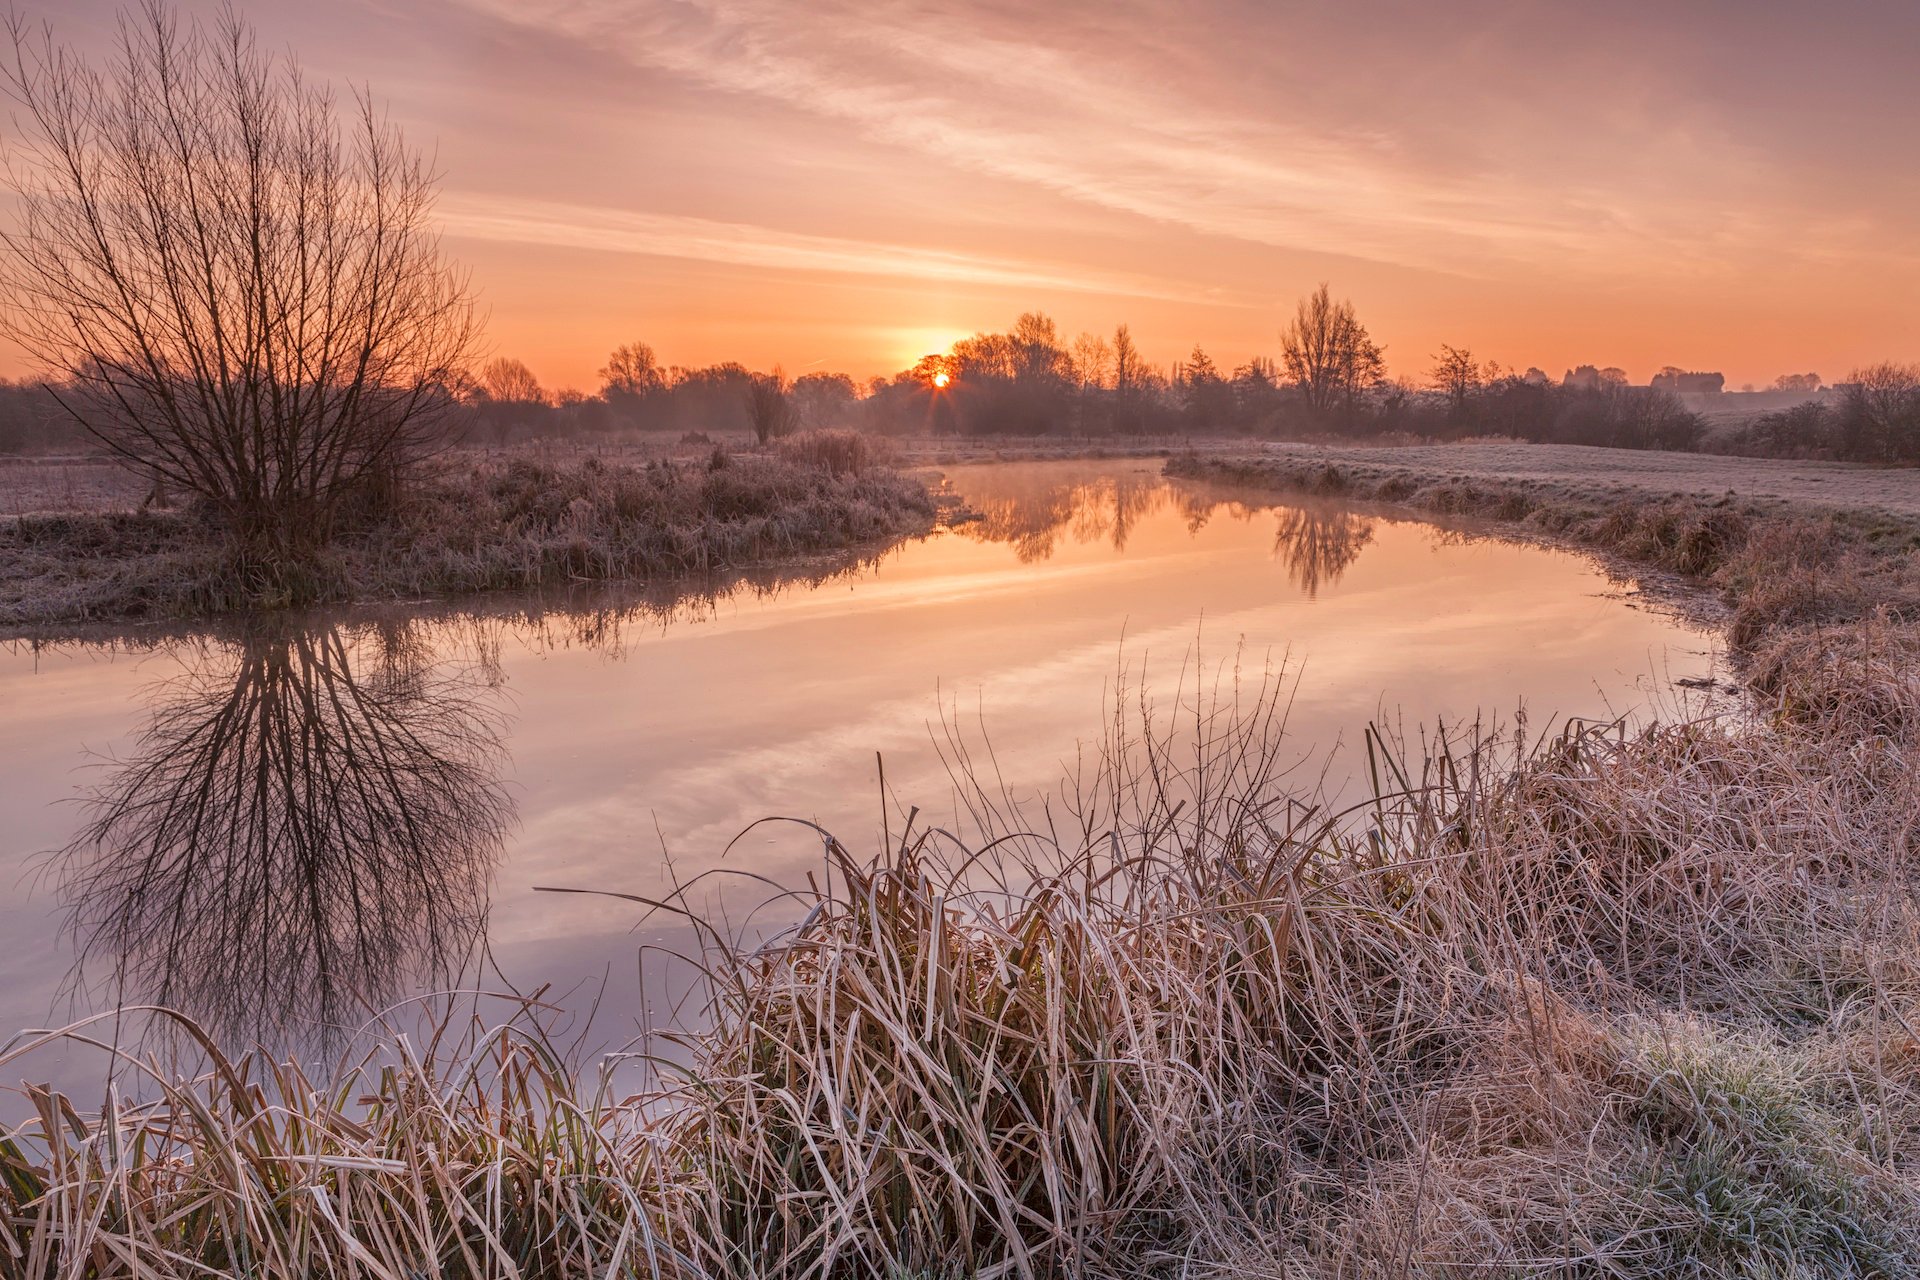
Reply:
x=473, y=525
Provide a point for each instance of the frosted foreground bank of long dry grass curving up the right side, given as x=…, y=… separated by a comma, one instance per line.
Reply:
x=1620, y=1003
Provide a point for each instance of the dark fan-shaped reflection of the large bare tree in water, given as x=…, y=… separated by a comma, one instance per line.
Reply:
x=310, y=820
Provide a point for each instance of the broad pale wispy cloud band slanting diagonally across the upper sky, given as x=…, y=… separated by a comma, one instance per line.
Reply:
x=1055, y=108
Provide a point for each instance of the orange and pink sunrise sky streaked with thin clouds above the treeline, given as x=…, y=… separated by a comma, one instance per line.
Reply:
x=848, y=185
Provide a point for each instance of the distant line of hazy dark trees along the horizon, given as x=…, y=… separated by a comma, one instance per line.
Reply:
x=1328, y=381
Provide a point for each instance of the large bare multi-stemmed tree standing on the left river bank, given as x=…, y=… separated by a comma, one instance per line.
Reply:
x=241, y=293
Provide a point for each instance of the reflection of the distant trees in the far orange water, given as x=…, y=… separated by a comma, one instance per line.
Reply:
x=1034, y=510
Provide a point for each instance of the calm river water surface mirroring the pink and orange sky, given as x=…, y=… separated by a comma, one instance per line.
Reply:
x=283, y=824
